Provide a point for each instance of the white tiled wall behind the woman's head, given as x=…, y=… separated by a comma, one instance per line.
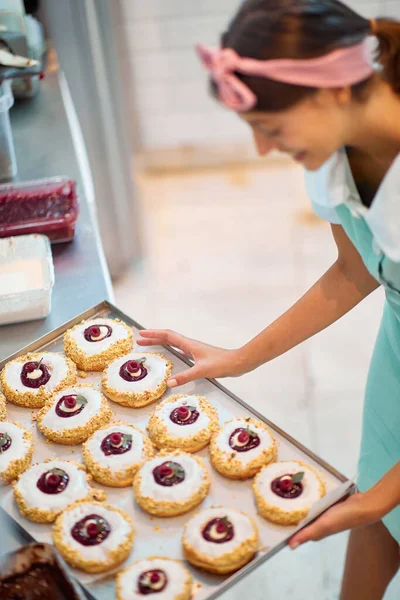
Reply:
x=174, y=107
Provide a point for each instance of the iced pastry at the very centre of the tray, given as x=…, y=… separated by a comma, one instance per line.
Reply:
x=115, y=452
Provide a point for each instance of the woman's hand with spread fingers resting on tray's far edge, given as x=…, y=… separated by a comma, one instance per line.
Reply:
x=209, y=361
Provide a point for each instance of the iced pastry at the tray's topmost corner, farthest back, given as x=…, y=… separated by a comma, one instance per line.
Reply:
x=93, y=344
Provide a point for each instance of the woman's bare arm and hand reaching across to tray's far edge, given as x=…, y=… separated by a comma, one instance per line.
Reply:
x=342, y=287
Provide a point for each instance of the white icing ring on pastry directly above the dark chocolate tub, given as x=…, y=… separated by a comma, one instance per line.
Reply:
x=77, y=487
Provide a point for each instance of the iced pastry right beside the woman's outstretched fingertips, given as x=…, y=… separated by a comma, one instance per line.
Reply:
x=136, y=379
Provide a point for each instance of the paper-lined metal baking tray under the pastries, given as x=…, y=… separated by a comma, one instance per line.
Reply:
x=157, y=536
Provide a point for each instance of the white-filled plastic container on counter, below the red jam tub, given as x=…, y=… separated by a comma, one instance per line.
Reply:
x=26, y=278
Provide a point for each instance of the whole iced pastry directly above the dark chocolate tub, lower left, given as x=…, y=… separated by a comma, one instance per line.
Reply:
x=46, y=489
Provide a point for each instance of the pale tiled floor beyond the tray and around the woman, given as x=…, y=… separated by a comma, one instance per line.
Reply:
x=225, y=253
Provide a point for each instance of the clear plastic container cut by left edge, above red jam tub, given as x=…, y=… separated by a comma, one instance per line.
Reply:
x=8, y=162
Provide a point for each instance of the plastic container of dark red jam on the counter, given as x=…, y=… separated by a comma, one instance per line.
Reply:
x=45, y=206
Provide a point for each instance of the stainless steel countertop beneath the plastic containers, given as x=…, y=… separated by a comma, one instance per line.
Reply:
x=44, y=148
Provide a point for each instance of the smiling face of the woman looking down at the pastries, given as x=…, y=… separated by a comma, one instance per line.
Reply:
x=310, y=132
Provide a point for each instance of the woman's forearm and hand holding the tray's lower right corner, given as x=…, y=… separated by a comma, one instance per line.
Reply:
x=356, y=511
